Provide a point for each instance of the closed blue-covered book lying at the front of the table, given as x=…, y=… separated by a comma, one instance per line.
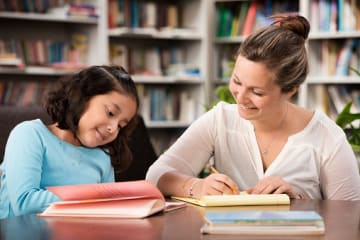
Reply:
x=264, y=223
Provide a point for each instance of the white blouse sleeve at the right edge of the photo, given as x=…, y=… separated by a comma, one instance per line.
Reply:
x=339, y=174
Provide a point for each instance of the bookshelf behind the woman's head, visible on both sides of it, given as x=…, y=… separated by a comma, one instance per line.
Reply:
x=333, y=46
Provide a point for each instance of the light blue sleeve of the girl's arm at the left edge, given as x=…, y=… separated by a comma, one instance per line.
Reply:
x=24, y=160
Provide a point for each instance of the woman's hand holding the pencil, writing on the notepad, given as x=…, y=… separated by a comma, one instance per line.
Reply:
x=214, y=184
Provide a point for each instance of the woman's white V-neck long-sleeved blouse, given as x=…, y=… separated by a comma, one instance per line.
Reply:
x=317, y=162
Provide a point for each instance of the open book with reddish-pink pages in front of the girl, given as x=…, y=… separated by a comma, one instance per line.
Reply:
x=131, y=199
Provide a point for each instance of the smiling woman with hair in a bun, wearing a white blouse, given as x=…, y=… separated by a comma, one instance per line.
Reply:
x=264, y=143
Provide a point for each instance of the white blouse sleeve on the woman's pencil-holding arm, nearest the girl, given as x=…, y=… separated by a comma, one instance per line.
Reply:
x=190, y=153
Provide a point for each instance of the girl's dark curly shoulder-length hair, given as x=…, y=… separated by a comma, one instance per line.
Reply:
x=67, y=102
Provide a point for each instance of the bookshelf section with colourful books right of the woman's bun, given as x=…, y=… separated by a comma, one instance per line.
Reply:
x=333, y=48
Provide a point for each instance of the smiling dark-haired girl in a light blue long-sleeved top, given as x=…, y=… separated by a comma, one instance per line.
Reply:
x=93, y=112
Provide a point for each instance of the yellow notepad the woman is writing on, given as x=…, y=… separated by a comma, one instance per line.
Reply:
x=241, y=199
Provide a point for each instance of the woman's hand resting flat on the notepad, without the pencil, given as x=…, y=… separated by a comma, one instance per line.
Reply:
x=273, y=185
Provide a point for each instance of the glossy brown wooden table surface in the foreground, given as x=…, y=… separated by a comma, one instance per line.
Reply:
x=342, y=219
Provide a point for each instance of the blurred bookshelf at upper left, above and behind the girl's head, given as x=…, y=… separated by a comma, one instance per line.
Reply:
x=43, y=42
